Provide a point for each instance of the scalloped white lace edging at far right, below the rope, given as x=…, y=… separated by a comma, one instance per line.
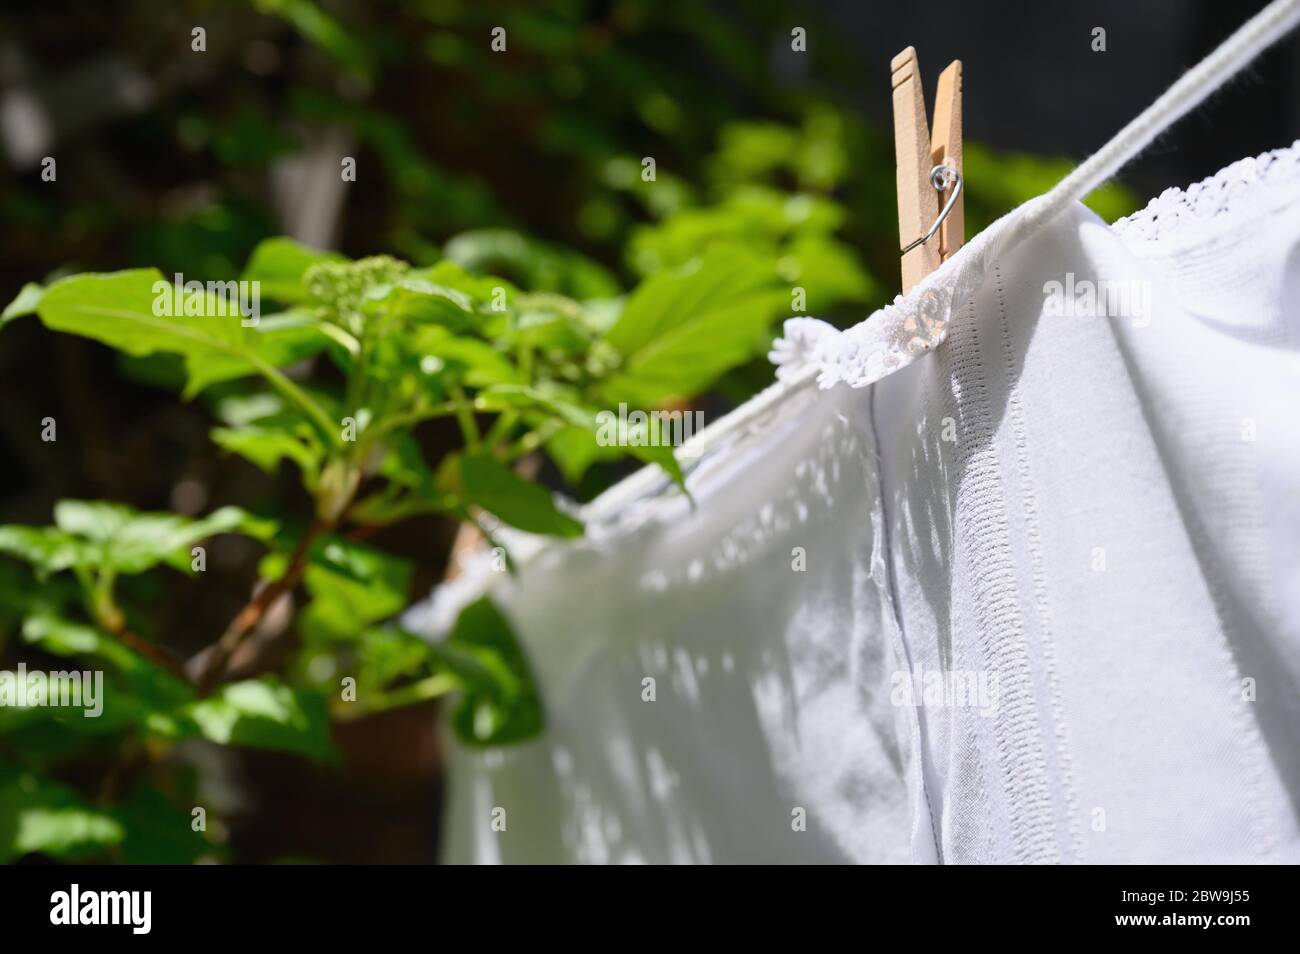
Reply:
x=1229, y=192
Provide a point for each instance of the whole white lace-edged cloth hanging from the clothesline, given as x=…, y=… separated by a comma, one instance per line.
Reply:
x=1099, y=517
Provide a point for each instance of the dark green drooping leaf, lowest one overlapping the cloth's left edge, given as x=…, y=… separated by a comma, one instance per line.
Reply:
x=501, y=703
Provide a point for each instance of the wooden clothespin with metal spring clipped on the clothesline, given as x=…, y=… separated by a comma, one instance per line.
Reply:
x=918, y=159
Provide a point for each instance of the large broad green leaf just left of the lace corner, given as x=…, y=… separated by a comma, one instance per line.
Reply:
x=682, y=329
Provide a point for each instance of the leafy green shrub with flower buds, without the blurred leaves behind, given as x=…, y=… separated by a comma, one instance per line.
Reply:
x=335, y=387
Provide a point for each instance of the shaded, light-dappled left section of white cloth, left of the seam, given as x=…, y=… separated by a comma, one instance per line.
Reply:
x=769, y=684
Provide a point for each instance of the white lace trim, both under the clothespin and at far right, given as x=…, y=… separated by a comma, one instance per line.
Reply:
x=895, y=336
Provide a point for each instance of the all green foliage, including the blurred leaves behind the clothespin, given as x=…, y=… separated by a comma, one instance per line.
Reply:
x=513, y=342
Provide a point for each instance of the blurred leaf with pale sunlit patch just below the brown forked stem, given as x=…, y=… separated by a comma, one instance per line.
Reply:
x=265, y=714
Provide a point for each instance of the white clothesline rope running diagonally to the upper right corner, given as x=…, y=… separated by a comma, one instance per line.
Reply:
x=1251, y=40
